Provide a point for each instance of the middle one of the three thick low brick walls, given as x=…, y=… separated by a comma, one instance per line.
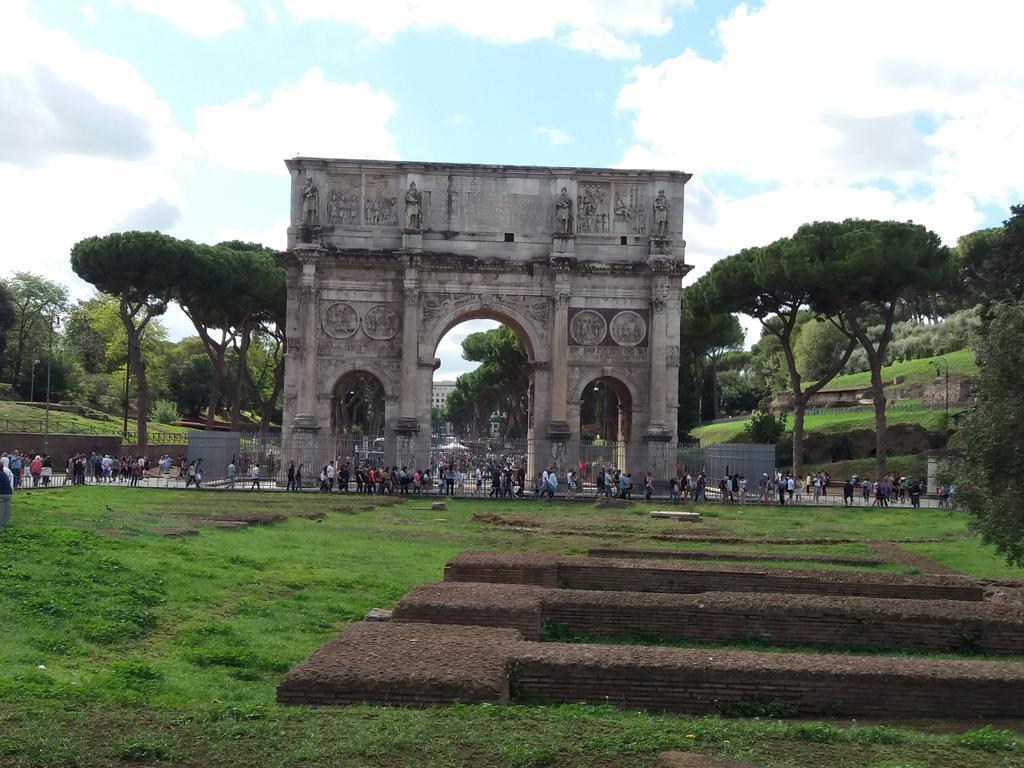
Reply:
x=727, y=617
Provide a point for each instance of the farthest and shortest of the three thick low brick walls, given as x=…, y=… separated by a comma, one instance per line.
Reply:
x=639, y=576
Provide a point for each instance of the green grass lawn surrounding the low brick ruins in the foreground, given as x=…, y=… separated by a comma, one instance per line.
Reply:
x=121, y=647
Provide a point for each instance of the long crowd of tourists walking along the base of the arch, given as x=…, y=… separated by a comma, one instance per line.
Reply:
x=496, y=479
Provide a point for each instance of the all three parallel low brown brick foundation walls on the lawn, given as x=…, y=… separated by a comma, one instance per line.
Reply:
x=475, y=639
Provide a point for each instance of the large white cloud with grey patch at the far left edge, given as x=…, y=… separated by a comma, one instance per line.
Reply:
x=94, y=147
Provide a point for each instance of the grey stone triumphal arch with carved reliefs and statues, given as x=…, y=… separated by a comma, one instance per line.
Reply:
x=584, y=265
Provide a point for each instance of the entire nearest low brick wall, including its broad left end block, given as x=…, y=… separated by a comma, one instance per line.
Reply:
x=413, y=664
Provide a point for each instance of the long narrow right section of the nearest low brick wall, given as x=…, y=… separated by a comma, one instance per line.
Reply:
x=695, y=681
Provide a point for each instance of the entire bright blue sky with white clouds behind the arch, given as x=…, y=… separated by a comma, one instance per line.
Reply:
x=176, y=115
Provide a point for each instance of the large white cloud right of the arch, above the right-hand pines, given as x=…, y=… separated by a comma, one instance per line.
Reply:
x=826, y=111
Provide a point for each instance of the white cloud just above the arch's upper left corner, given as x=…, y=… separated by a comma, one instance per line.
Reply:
x=316, y=118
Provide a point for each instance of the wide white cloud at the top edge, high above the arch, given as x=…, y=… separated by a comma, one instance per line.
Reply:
x=602, y=27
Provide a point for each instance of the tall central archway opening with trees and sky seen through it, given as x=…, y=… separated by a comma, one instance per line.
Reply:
x=482, y=409
